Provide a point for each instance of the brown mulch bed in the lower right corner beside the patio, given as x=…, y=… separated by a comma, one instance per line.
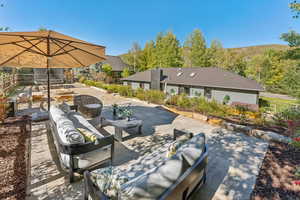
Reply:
x=277, y=174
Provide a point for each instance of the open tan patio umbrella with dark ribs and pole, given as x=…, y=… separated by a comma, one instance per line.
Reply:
x=47, y=49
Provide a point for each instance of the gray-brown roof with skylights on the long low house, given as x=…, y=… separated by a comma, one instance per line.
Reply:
x=203, y=77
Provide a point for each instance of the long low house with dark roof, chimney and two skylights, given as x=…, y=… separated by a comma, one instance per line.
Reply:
x=211, y=82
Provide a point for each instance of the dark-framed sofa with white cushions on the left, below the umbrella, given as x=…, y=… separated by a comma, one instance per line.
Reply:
x=78, y=152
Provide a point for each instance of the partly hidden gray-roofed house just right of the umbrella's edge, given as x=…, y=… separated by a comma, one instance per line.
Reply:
x=117, y=64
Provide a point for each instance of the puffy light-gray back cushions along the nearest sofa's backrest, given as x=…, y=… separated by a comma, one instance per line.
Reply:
x=152, y=184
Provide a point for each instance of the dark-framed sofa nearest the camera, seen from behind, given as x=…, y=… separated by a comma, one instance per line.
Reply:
x=153, y=176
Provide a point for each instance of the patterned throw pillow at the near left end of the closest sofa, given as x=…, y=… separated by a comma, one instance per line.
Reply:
x=108, y=181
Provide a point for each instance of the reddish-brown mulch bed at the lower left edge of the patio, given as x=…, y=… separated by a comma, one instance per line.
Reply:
x=13, y=163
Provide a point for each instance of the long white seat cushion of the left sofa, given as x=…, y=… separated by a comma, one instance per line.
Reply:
x=80, y=122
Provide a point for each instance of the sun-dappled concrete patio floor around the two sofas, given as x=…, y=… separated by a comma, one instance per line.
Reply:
x=234, y=159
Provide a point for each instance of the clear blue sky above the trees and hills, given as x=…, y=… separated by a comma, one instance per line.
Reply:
x=117, y=24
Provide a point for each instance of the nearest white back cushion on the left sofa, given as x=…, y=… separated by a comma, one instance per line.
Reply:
x=68, y=133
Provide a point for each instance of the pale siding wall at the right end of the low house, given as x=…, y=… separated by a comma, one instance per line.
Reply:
x=239, y=96
